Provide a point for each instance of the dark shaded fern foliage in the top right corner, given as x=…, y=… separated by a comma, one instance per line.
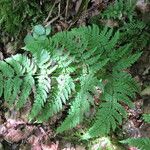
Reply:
x=133, y=29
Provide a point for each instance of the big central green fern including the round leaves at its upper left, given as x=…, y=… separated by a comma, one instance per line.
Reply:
x=70, y=68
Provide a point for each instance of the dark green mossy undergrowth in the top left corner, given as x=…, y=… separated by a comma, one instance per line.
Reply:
x=17, y=16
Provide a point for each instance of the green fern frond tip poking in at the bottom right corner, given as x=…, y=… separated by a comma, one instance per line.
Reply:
x=141, y=143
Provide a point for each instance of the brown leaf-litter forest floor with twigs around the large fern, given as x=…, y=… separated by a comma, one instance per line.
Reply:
x=16, y=133
